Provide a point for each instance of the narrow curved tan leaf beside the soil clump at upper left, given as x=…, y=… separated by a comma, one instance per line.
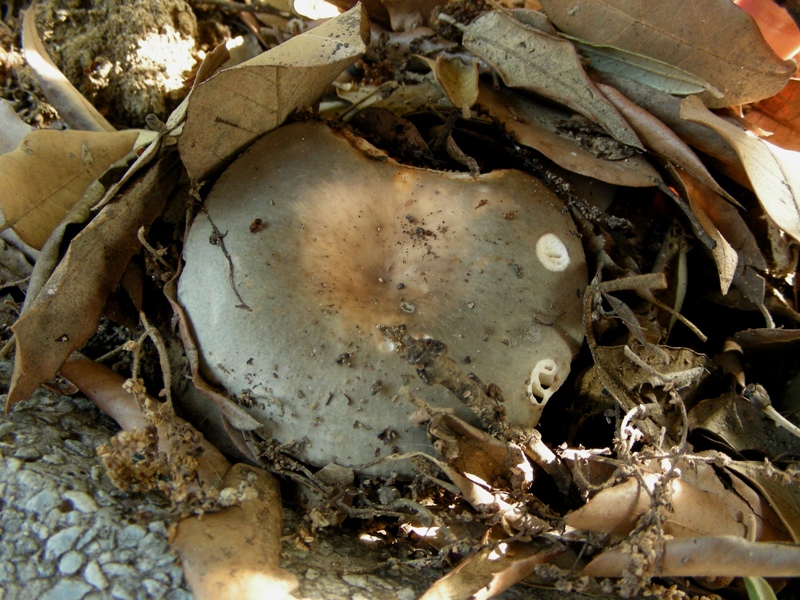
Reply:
x=76, y=110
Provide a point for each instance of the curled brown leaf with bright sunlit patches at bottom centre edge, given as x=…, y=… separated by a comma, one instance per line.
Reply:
x=491, y=570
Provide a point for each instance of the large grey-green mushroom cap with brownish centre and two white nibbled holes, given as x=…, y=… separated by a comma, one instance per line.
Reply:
x=331, y=254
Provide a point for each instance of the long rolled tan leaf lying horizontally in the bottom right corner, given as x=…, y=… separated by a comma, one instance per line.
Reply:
x=724, y=556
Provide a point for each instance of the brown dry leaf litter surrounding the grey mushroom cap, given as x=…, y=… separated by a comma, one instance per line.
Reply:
x=632, y=489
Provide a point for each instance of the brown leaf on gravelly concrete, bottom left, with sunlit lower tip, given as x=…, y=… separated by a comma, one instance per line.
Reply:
x=234, y=554
